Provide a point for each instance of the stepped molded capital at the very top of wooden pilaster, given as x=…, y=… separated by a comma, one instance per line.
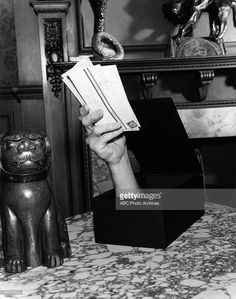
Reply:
x=50, y=6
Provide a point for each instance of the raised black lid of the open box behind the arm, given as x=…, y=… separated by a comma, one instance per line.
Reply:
x=162, y=145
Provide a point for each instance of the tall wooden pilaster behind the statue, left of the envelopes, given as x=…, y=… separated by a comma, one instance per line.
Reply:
x=53, y=47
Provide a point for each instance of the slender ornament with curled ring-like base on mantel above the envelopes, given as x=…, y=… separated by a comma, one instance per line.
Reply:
x=105, y=46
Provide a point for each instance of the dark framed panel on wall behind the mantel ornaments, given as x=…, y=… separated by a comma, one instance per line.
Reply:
x=141, y=28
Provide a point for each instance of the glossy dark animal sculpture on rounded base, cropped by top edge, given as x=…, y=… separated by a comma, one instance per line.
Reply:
x=188, y=12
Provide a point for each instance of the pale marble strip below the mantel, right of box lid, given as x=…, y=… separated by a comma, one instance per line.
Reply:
x=209, y=122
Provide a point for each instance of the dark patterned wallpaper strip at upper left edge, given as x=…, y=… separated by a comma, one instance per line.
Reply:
x=8, y=55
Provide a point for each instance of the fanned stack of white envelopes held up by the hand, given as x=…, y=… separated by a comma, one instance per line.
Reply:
x=100, y=87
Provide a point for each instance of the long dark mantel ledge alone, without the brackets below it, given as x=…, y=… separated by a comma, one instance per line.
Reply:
x=164, y=64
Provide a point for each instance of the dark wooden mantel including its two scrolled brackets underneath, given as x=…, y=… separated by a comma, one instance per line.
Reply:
x=203, y=67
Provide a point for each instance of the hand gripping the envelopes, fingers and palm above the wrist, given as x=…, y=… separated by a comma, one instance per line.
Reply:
x=107, y=140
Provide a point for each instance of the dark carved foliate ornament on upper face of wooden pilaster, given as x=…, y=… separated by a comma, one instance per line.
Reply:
x=53, y=52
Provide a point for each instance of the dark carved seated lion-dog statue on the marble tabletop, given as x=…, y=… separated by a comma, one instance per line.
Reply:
x=33, y=230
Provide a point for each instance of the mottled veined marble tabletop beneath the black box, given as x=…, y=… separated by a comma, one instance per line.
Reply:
x=200, y=264
